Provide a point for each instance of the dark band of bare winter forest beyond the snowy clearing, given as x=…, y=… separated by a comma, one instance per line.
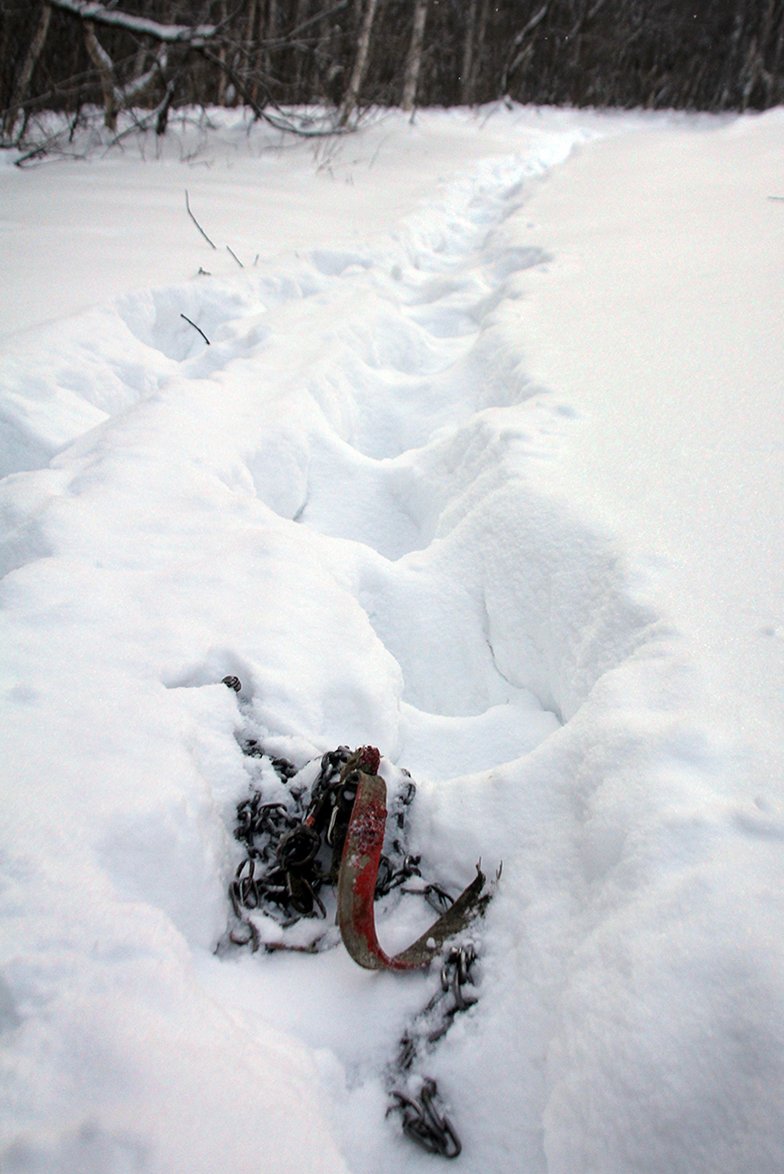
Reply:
x=272, y=56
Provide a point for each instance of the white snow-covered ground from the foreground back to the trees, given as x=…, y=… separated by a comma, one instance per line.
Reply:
x=483, y=465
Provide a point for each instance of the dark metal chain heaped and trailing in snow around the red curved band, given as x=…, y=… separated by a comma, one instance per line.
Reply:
x=292, y=851
